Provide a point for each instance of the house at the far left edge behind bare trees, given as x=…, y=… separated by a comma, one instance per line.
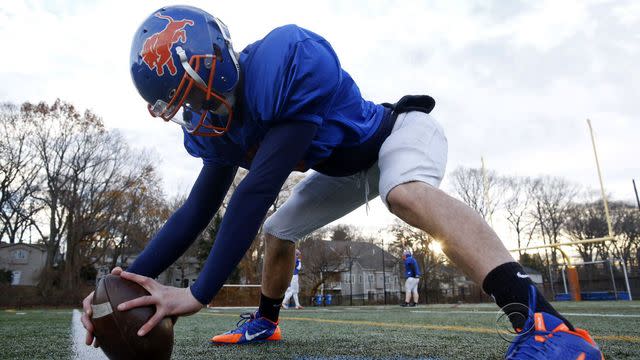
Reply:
x=25, y=261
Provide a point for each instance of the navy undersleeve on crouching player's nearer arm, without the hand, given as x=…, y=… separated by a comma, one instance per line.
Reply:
x=282, y=148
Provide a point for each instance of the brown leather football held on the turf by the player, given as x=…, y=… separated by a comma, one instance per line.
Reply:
x=116, y=331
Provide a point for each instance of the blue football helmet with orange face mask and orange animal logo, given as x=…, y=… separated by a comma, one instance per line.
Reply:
x=182, y=57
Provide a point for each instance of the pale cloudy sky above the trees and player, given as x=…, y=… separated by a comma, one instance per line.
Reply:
x=514, y=81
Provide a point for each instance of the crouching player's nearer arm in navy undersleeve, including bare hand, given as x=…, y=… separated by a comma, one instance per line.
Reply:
x=283, y=146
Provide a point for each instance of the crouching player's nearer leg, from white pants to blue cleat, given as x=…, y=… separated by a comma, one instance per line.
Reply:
x=412, y=162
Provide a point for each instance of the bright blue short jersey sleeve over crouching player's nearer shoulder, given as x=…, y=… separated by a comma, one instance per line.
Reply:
x=311, y=81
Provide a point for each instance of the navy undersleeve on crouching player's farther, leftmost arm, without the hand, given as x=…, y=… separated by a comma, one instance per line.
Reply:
x=184, y=226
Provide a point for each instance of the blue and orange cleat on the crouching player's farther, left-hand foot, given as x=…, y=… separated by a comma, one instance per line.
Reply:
x=251, y=328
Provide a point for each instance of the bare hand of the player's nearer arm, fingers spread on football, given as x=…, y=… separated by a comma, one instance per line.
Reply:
x=168, y=300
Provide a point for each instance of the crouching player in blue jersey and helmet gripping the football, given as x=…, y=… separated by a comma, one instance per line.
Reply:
x=282, y=104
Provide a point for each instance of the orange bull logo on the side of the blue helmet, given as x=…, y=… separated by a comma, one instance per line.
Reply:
x=156, y=50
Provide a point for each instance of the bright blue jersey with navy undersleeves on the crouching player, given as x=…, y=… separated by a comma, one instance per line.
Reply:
x=294, y=105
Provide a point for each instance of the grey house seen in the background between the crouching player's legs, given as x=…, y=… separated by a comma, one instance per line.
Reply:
x=352, y=270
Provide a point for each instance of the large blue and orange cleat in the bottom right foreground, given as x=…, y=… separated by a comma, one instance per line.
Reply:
x=546, y=337
